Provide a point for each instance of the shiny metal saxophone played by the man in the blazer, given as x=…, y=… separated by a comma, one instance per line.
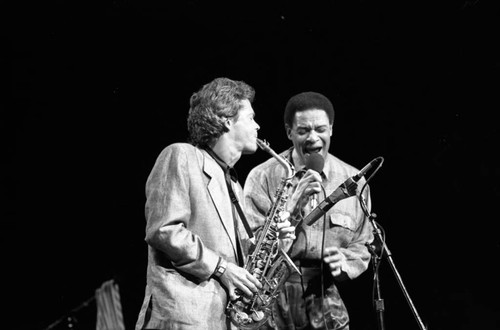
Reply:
x=268, y=262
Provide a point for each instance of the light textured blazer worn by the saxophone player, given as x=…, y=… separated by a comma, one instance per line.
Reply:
x=189, y=225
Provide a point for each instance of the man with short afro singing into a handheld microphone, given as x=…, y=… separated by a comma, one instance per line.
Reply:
x=312, y=300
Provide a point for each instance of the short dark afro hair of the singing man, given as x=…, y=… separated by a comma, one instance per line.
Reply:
x=307, y=101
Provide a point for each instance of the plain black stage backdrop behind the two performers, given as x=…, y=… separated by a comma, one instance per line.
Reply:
x=99, y=91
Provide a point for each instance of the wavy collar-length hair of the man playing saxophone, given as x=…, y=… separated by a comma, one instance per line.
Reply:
x=212, y=105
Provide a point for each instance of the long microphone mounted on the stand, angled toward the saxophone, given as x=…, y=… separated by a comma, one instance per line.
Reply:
x=346, y=189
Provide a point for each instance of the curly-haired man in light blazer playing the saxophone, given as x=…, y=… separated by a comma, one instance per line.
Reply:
x=195, y=232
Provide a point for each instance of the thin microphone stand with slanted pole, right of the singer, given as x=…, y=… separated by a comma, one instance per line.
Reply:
x=379, y=303
